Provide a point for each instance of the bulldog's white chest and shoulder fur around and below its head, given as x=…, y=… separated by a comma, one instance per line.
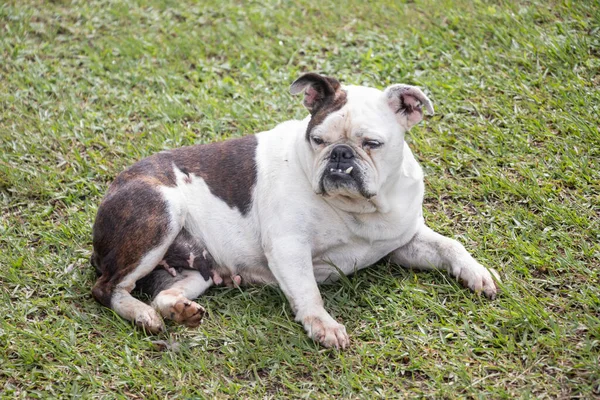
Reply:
x=286, y=204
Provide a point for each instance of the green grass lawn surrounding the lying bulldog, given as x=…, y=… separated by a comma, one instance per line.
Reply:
x=512, y=158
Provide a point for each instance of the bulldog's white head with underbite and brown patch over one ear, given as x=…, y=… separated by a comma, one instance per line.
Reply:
x=355, y=134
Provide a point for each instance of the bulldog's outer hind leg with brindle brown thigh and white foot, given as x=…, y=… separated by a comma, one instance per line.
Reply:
x=135, y=226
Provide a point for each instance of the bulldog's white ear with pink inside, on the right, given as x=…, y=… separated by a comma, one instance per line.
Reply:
x=408, y=102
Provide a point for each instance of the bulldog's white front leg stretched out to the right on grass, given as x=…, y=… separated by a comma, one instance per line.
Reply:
x=430, y=250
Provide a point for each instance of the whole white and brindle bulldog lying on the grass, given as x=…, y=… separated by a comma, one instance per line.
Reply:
x=294, y=206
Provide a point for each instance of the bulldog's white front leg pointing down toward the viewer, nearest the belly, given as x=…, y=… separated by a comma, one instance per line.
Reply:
x=290, y=261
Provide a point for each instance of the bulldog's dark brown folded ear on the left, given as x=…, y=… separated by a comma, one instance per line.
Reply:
x=318, y=89
